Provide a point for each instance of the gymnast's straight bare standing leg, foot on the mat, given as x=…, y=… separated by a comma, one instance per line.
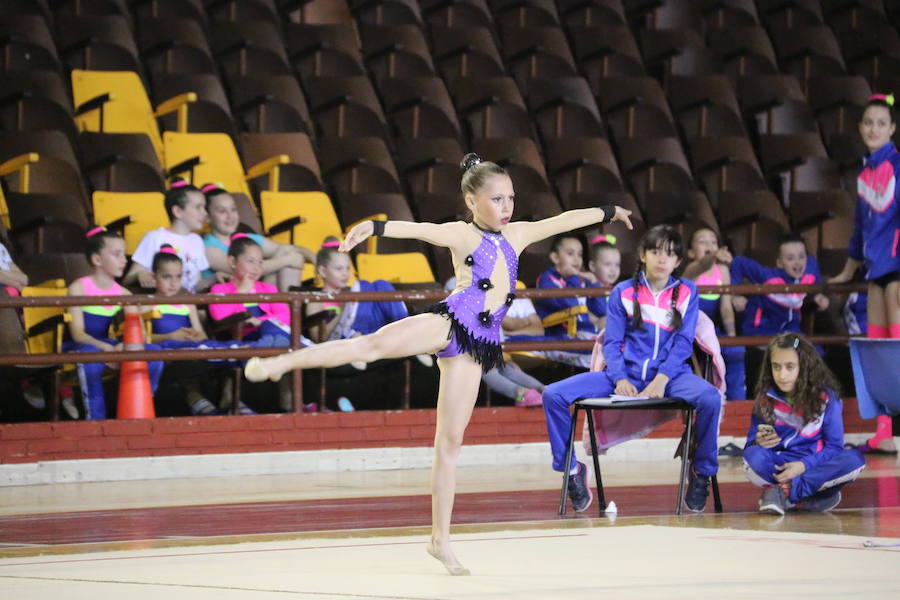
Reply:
x=460, y=378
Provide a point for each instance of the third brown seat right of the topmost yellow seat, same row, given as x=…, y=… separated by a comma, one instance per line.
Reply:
x=345, y=107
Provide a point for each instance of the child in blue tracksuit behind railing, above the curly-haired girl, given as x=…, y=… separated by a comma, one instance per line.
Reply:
x=775, y=313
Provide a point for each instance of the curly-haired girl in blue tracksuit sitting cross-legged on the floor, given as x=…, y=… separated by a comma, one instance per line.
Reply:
x=795, y=444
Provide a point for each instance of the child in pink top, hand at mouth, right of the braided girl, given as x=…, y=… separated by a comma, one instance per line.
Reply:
x=709, y=266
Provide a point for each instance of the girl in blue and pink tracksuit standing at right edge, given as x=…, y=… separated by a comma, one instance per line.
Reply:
x=876, y=237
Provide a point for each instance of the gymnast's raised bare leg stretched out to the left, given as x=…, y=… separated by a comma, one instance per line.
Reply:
x=425, y=333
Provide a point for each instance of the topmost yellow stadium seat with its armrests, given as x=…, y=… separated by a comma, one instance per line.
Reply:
x=116, y=102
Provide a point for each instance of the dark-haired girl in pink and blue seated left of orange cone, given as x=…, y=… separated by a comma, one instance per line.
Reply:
x=89, y=327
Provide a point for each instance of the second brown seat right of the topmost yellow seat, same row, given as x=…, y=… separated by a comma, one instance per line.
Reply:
x=270, y=104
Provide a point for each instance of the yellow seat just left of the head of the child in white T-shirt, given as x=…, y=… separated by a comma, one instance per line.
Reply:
x=144, y=209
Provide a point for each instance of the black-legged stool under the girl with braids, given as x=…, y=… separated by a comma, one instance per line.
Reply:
x=591, y=404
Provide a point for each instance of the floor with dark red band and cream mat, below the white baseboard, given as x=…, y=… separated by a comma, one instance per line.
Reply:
x=256, y=537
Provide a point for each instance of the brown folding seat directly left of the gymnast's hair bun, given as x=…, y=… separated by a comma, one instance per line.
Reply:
x=430, y=165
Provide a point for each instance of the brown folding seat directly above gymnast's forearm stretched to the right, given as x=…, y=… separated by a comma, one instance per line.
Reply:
x=582, y=166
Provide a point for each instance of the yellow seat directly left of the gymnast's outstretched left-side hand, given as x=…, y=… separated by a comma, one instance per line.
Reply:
x=318, y=220
